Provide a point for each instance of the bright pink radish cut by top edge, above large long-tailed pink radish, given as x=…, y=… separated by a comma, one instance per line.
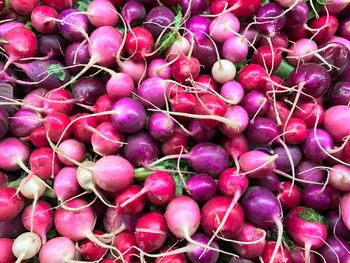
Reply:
x=102, y=13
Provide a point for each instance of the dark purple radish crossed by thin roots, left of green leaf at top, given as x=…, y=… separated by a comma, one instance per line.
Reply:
x=157, y=19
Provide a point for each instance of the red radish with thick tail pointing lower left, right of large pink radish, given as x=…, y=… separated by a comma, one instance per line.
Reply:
x=159, y=188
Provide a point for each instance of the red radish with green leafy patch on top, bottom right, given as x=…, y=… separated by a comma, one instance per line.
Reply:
x=307, y=228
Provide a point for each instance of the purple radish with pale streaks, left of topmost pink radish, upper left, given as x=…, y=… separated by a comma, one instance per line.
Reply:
x=73, y=26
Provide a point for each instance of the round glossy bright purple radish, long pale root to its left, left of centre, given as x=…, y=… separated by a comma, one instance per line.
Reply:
x=129, y=116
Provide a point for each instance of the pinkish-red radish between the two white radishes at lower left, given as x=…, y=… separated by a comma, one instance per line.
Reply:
x=38, y=219
